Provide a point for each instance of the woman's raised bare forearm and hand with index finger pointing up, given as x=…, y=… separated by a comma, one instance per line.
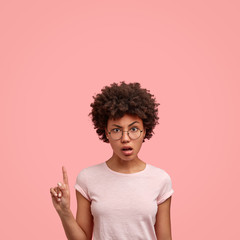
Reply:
x=61, y=201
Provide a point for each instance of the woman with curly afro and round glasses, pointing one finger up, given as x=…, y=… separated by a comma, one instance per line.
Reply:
x=122, y=198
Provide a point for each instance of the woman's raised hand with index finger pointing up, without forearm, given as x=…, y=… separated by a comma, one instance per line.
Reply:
x=61, y=195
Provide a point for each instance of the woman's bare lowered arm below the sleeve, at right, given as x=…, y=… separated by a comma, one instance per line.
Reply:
x=163, y=221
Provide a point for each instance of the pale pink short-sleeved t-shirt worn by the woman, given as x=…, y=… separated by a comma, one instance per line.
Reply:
x=124, y=206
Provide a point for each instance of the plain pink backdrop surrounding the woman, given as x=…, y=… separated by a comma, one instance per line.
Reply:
x=55, y=55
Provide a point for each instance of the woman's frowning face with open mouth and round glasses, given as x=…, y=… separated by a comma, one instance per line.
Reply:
x=126, y=148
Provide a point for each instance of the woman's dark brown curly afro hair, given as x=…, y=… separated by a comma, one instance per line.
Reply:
x=115, y=101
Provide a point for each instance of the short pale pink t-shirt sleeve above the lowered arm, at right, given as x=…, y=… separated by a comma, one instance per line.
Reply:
x=166, y=189
